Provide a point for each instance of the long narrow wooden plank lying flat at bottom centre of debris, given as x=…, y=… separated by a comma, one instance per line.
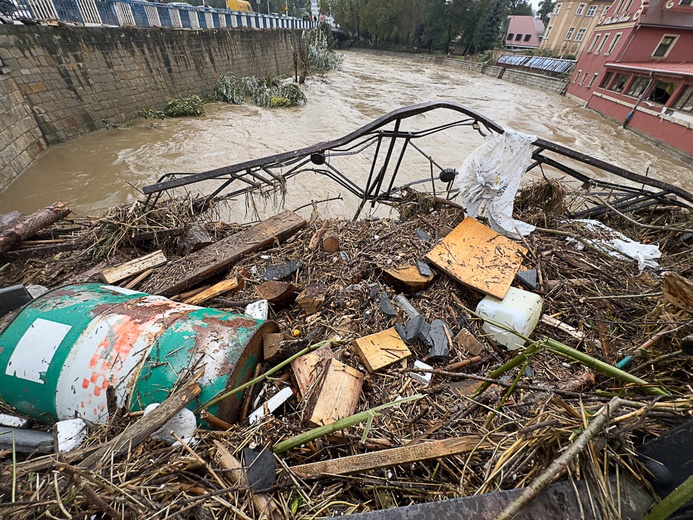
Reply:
x=391, y=457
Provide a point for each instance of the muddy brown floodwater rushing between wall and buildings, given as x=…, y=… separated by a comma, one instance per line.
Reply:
x=106, y=168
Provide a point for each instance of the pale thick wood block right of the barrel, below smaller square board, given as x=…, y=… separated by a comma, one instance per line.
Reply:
x=335, y=394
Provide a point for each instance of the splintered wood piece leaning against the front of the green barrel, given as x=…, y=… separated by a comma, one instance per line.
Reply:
x=137, y=432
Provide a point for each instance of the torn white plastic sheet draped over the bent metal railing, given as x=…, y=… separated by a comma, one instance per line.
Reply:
x=490, y=177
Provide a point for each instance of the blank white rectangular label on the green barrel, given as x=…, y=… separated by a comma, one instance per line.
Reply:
x=35, y=350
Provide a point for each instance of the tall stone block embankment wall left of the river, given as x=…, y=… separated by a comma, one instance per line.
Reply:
x=73, y=80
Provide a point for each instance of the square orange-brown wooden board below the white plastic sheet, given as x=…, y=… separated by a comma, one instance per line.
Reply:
x=477, y=256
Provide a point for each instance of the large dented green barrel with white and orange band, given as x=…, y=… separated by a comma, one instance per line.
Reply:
x=65, y=349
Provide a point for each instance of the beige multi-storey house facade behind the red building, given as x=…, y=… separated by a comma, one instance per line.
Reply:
x=571, y=25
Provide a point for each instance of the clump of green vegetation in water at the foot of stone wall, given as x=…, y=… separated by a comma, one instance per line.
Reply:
x=268, y=93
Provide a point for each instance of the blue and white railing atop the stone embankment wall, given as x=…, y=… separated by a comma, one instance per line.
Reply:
x=150, y=14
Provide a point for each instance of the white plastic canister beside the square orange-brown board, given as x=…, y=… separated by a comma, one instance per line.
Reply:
x=520, y=310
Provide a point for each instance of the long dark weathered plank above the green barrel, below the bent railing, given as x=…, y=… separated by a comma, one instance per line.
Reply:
x=200, y=265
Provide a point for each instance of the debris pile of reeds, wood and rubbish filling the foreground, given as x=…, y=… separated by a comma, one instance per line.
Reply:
x=383, y=385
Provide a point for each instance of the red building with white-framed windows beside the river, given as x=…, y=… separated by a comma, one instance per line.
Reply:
x=638, y=69
